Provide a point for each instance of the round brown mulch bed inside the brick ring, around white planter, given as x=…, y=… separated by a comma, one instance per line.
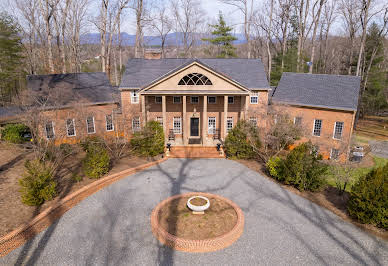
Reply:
x=178, y=220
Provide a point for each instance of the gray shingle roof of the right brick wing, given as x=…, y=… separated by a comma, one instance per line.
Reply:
x=320, y=90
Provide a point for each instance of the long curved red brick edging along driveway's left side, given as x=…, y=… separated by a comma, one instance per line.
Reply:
x=43, y=220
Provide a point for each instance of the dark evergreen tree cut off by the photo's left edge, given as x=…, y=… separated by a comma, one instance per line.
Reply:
x=10, y=58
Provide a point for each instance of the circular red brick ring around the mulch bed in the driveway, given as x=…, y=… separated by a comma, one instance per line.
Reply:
x=189, y=245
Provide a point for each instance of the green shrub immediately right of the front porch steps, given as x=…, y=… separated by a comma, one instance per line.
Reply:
x=242, y=140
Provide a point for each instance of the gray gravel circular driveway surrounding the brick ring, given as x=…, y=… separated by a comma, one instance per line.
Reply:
x=113, y=225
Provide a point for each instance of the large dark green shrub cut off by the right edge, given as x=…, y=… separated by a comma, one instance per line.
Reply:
x=368, y=201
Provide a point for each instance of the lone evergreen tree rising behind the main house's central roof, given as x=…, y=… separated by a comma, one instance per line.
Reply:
x=222, y=38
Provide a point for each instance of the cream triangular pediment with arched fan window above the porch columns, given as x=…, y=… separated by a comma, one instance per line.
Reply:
x=195, y=77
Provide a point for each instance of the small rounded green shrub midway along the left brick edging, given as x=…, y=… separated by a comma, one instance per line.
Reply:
x=96, y=162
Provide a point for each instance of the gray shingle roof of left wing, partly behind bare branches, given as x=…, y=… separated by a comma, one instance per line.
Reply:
x=93, y=87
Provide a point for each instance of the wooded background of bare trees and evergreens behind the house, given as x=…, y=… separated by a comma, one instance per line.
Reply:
x=346, y=37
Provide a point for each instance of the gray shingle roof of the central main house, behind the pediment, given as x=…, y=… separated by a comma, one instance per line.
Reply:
x=249, y=73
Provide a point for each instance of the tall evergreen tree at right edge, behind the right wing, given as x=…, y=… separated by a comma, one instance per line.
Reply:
x=373, y=99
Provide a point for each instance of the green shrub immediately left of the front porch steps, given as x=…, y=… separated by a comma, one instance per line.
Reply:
x=149, y=141
